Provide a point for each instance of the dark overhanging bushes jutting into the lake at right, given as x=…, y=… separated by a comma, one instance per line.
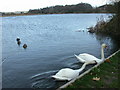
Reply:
x=110, y=27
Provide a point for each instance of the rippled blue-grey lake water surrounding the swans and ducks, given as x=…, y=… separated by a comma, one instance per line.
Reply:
x=52, y=41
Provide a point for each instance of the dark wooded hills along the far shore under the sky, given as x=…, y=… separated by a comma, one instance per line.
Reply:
x=60, y=9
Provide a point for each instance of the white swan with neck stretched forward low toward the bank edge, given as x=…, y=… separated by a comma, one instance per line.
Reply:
x=68, y=74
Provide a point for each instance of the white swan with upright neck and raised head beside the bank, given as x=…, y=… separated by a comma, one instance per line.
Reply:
x=90, y=58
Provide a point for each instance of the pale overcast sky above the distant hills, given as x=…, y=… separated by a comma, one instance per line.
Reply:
x=24, y=5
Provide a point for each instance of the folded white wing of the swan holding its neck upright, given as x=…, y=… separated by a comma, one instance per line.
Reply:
x=87, y=57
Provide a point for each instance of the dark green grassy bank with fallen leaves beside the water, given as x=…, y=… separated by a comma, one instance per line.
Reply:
x=107, y=74
